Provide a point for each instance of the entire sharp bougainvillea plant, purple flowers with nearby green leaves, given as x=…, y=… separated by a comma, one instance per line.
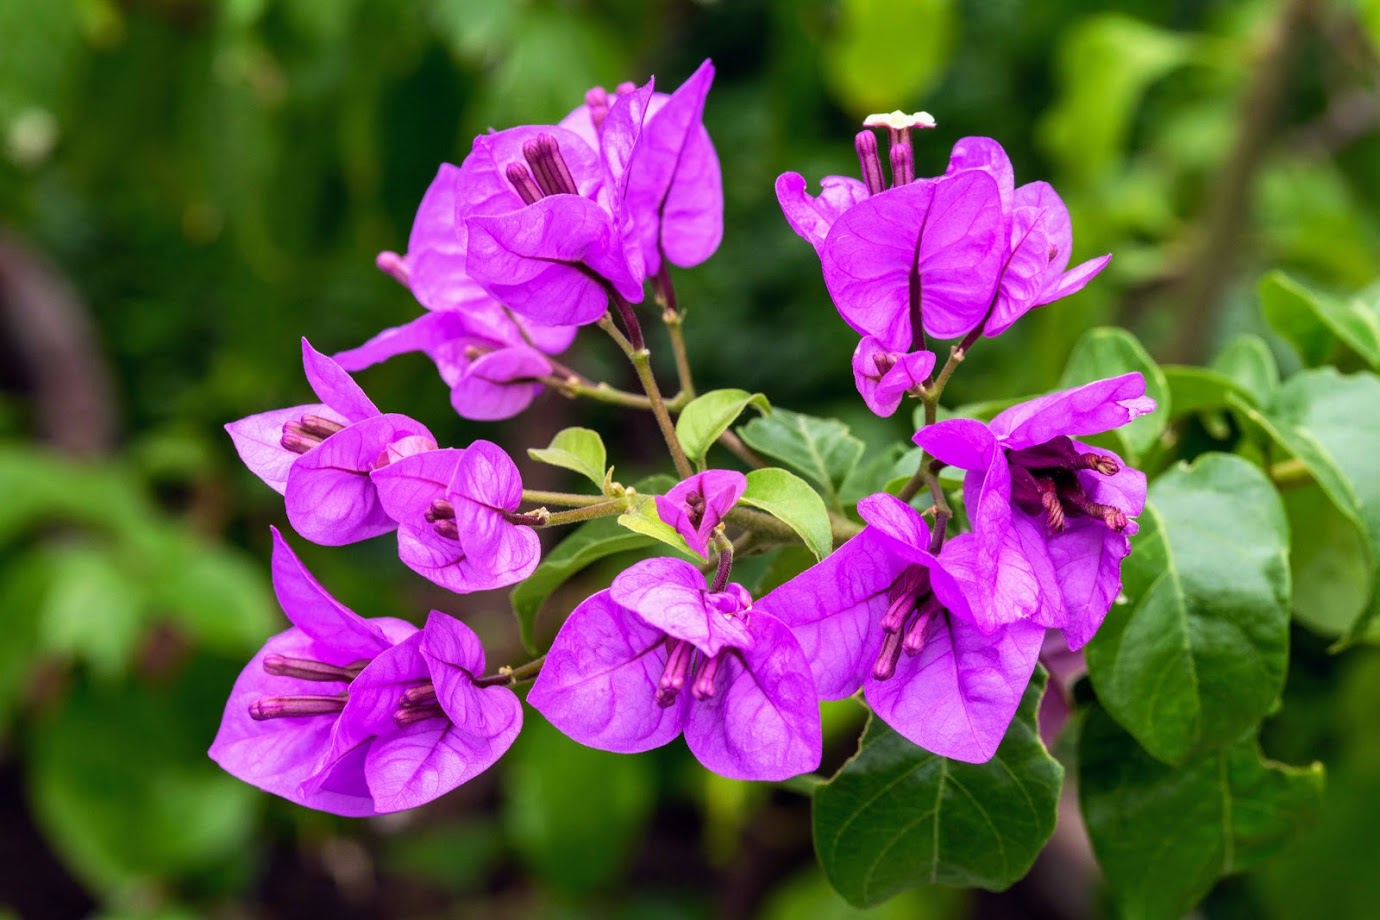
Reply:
x=934, y=595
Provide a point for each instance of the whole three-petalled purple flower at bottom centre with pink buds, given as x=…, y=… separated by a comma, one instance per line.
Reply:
x=658, y=654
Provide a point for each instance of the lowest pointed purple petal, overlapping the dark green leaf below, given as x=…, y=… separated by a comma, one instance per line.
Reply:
x=958, y=696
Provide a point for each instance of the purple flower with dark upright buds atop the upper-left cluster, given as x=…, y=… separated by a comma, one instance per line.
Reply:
x=547, y=227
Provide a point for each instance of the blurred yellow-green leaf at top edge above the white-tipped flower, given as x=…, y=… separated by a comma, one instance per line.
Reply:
x=888, y=52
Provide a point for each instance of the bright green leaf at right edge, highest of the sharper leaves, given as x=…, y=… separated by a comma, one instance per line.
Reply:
x=1313, y=322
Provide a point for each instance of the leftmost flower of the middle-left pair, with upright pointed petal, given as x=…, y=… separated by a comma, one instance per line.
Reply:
x=319, y=456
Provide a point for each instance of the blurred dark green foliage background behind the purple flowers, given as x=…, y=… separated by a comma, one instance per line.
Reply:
x=188, y=187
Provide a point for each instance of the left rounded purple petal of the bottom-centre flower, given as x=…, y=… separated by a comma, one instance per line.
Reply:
x=600, y=681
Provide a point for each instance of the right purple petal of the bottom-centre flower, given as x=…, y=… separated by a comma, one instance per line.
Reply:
x=764, y=718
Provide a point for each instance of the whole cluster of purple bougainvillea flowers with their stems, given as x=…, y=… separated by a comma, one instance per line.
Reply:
x=544, y=230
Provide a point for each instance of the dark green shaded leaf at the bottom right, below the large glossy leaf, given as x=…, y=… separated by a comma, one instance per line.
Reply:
x=1165, y=835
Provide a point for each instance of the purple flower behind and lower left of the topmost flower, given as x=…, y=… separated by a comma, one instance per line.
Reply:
x=485, y=354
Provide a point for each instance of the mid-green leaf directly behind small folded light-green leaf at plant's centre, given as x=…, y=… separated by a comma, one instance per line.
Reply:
x=822, y=449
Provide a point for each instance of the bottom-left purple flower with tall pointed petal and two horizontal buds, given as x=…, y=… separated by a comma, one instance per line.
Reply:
x=285, y=707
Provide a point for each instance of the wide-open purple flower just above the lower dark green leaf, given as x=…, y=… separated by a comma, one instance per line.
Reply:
x=885, y=614
